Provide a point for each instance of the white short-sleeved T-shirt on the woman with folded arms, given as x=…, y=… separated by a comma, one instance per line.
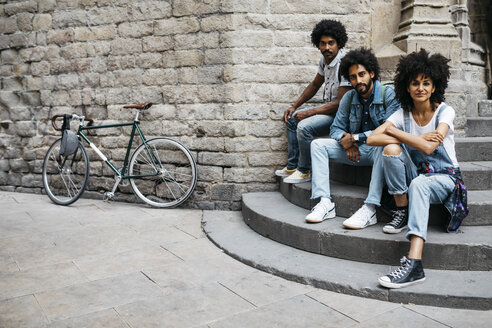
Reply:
x=447, y=116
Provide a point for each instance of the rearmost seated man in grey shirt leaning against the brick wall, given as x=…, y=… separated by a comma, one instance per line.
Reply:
x=303, y=125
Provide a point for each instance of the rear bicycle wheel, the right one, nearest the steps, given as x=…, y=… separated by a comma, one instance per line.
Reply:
x=166, y=172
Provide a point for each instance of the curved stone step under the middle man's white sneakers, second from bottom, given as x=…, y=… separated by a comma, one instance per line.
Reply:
x=272, y=216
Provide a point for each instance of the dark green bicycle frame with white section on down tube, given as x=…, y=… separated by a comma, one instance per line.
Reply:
x=135, y=127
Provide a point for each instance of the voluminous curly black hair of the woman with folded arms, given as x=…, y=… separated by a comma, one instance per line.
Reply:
x=435, y=67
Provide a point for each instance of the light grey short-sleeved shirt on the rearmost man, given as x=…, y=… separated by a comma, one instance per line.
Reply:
x=330, y=72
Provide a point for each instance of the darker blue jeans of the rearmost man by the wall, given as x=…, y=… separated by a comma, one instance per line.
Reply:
x=301, y=134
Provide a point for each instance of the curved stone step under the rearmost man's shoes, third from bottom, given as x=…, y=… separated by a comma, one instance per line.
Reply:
x=349, y=199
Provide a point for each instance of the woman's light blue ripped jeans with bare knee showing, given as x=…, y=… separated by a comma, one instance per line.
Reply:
x=401, y=177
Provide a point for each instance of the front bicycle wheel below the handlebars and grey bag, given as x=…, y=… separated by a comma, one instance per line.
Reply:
x=65, y=177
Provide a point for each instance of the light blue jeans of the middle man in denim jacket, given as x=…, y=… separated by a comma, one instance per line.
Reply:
x=324, y=150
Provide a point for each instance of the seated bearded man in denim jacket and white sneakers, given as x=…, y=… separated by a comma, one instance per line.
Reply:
x=361, y=110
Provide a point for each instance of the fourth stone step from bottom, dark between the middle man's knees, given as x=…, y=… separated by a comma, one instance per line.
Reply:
x=477, y=175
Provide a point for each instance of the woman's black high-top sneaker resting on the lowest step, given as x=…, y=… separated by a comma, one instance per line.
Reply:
x=410, y=272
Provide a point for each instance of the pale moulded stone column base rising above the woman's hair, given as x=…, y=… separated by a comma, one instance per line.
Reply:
x=427, y=24
